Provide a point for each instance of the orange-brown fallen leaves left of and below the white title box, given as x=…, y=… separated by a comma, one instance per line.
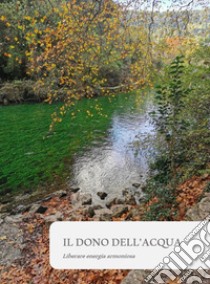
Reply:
x=35, y=267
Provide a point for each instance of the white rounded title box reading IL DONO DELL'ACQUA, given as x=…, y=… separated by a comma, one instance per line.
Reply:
x=121, y=245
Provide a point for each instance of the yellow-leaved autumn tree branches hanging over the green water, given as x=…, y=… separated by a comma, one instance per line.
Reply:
x=80, y=54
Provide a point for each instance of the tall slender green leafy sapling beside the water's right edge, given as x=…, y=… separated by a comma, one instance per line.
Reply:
x=170, y=105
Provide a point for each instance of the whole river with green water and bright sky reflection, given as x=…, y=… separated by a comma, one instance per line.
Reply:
x=103, y=144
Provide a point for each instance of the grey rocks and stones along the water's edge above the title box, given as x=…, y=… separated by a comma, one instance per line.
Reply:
x=63, y=205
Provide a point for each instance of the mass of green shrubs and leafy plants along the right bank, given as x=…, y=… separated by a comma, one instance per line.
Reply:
x=182, y=116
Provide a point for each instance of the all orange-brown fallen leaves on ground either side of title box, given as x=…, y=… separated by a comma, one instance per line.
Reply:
x=33, y=267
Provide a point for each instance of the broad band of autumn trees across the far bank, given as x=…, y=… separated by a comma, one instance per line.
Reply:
x=82, y=48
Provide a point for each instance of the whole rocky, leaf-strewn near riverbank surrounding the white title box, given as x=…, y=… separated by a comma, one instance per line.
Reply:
x=24, y=232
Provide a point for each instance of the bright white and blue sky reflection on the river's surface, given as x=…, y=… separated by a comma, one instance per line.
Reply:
x=121, y=159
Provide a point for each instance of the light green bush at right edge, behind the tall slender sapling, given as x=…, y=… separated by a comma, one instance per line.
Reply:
x=196, y=140
